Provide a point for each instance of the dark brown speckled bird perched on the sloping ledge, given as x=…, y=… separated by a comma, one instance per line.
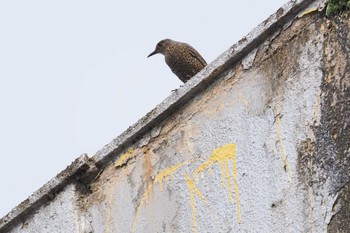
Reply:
x=183, y=60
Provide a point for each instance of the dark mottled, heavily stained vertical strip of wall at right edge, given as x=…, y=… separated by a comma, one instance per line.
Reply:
x=333, y=133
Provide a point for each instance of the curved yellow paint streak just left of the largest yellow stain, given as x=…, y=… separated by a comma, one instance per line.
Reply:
x=165, y=174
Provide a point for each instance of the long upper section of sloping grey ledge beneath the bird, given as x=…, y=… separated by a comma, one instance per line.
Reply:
x=205, y=78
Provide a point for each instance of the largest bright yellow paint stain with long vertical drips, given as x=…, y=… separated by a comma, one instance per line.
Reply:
x=222, y=156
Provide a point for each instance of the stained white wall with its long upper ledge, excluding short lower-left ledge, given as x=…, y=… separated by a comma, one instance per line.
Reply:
x=256, y=144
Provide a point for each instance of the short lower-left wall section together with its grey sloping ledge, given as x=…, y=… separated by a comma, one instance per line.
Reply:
x=55, y=206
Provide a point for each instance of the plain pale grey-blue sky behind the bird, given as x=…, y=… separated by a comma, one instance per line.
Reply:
x=74, y=74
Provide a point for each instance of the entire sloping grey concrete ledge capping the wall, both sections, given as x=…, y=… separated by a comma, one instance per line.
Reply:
x=170, y=105
